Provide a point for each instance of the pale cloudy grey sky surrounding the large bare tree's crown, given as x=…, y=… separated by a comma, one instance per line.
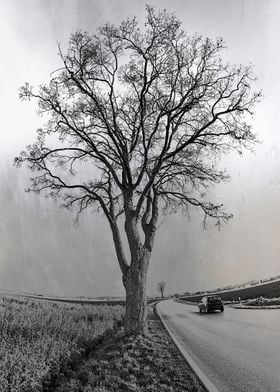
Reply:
x=43, y=251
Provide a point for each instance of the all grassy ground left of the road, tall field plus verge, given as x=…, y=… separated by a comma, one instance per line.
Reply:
x=49, y=346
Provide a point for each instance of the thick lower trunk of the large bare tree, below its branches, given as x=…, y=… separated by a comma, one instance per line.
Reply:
x=136, y=302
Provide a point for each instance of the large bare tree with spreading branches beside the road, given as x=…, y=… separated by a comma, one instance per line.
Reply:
x=137, y=119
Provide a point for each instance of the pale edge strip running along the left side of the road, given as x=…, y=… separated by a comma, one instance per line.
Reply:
x=210, y=387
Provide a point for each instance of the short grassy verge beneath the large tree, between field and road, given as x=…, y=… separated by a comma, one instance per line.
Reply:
x=151, y=363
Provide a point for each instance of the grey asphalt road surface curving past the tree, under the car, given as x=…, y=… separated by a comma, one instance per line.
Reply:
x=238, y=350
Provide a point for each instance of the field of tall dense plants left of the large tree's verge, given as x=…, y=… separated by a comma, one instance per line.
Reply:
x=40, y=340
